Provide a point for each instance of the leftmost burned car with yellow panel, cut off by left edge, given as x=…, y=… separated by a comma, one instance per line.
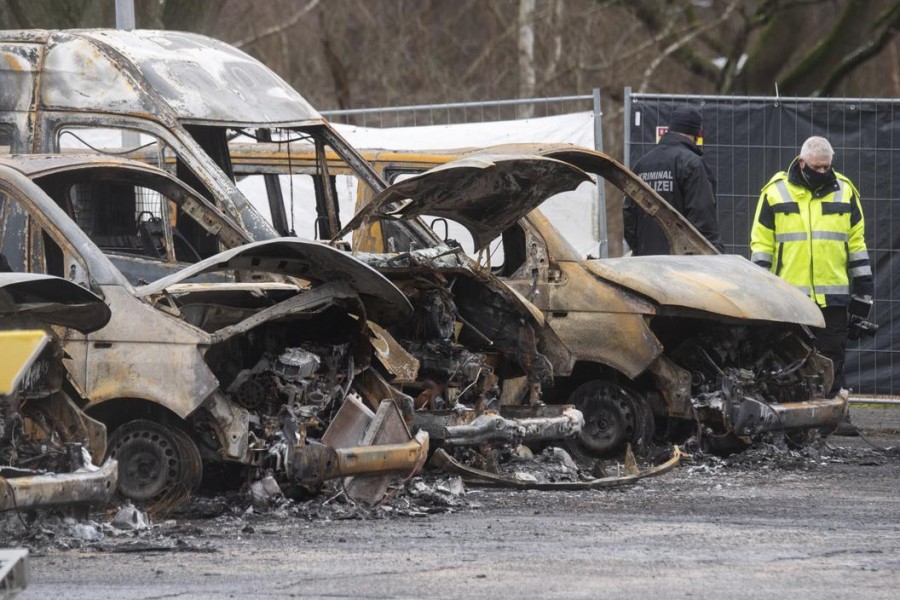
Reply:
x=49, y=447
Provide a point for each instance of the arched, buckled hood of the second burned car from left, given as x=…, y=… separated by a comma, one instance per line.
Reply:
x=308, y=260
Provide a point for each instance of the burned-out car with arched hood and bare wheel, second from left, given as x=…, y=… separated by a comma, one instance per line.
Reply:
x=243, y=357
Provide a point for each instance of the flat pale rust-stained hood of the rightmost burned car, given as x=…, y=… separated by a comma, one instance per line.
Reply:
x=725, y=285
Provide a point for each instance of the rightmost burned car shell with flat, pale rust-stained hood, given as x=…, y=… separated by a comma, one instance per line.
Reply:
x=673, y=339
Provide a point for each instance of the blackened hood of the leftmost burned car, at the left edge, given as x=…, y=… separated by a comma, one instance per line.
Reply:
x=52, y=300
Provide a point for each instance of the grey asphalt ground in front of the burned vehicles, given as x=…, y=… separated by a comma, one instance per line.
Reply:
x=819, y=524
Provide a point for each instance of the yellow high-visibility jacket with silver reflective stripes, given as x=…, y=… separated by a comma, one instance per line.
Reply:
x=813, y=240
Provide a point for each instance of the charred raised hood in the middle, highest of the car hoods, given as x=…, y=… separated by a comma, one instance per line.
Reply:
x=486, y=193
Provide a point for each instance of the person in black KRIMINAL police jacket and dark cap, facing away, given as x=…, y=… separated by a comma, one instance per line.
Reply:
x=675, y=170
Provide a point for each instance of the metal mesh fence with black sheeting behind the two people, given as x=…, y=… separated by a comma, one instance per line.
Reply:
x=746, y=140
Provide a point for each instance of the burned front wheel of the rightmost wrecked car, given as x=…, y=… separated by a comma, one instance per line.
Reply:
x=613, y=417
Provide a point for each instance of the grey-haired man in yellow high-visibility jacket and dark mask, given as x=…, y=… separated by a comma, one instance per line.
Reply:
x=809, y=231
